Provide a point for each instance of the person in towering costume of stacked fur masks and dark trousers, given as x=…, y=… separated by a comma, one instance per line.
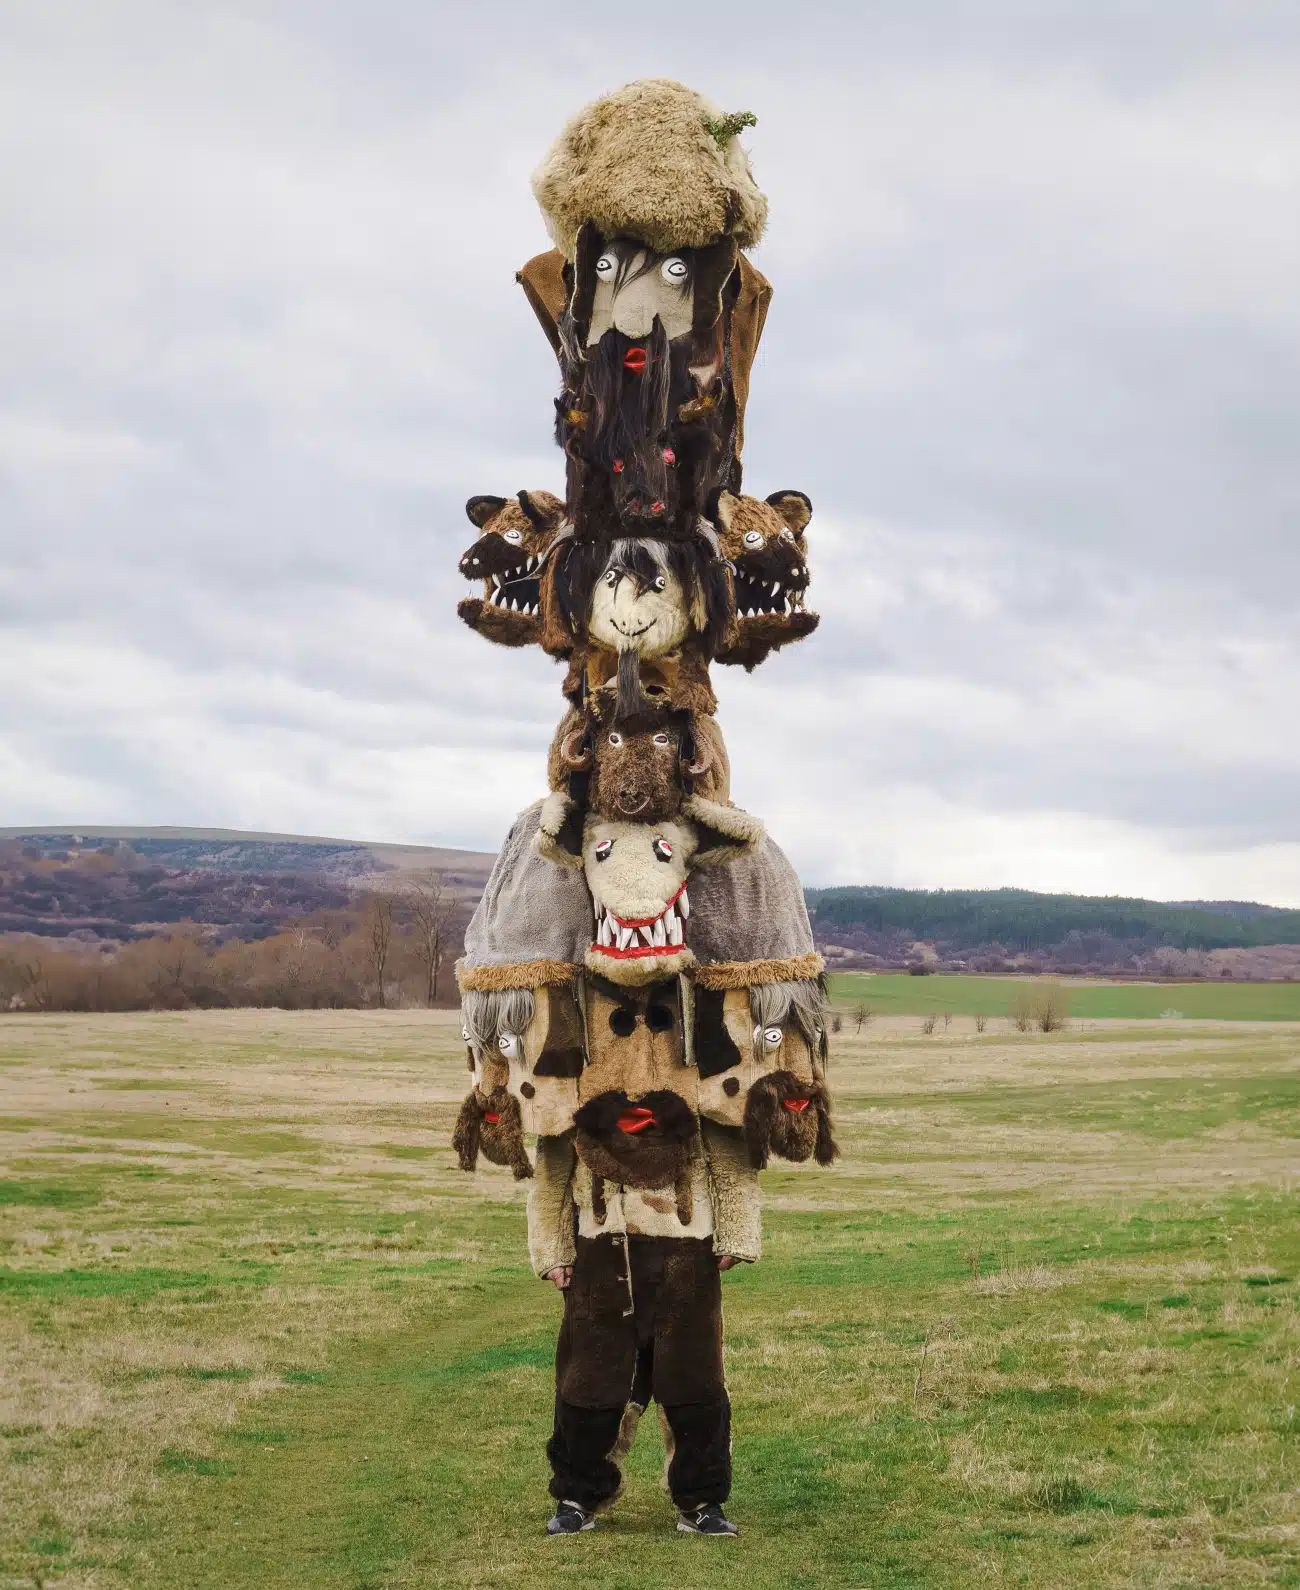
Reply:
x=641, y=996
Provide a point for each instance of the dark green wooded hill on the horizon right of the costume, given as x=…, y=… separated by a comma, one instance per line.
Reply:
x=1024, y=921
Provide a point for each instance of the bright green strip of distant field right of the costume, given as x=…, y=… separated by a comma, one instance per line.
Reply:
x=897, y=995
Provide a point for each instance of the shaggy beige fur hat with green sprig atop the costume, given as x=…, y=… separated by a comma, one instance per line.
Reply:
x=654, y=161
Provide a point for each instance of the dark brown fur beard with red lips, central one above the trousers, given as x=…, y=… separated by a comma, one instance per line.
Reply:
x=644, y=1144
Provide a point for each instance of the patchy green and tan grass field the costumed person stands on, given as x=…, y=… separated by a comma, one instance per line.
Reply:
x=1039, y=1328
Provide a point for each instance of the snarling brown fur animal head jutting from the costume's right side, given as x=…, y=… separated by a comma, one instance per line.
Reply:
x=765, y=541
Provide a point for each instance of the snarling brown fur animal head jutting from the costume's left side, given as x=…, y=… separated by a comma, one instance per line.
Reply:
x=509, y=559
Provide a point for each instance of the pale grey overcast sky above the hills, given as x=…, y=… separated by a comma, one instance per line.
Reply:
x=1034, y=354
